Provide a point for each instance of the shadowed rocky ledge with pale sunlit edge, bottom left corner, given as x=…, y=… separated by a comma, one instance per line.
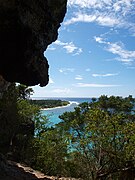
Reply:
x=10, y=170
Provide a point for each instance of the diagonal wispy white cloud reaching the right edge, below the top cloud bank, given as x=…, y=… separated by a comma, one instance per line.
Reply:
x=118, y=48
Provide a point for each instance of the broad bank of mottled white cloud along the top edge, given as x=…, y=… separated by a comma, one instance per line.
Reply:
x=104, y=12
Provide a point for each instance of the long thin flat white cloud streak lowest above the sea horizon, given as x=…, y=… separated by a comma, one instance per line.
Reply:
x=95, y=85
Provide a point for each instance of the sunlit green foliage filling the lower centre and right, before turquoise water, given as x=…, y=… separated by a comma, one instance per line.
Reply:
x=96, y=141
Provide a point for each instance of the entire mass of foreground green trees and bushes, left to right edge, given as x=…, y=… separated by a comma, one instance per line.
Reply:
x=96, y=141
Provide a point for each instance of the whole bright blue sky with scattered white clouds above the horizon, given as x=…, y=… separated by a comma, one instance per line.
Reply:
x=94, y=54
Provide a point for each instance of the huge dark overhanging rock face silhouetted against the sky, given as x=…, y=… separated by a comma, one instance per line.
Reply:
x=26, y=29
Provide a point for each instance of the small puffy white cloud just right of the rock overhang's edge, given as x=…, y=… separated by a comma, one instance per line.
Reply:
x=70, y=47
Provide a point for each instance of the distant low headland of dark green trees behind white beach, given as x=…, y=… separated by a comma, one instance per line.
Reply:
x=49, y=103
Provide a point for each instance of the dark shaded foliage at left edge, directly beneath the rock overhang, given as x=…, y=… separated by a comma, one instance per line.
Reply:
x=16, y=119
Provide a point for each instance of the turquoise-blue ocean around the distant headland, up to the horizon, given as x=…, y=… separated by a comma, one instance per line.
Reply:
x=54, y=113
